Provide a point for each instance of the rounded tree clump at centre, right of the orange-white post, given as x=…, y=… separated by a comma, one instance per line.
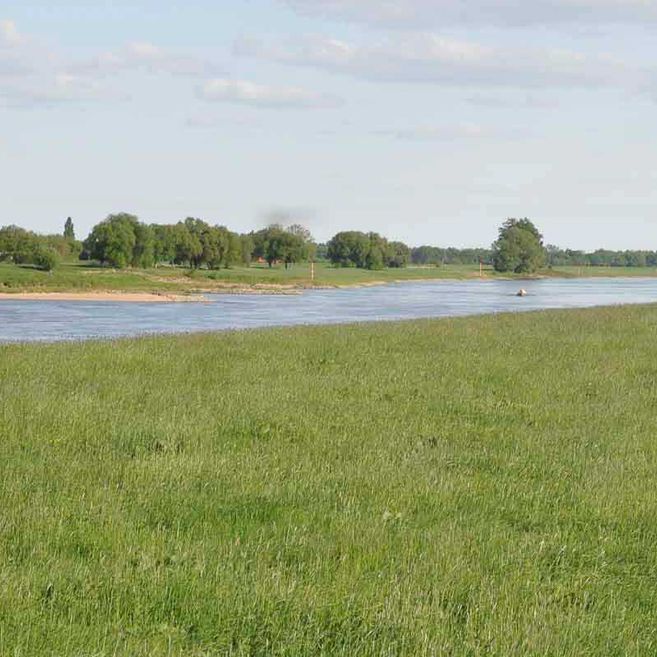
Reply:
x=366, y=251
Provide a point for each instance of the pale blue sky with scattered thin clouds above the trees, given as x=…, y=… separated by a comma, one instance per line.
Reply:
x=429, y=121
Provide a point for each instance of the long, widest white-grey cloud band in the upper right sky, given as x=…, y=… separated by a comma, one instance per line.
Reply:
x=426, y=58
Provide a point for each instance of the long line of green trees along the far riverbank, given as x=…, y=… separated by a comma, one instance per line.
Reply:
x=122, y=240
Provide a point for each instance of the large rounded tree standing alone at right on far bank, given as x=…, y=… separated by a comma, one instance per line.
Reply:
x=519, y=248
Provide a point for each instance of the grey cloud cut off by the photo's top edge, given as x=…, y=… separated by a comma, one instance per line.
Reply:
x=425, y=13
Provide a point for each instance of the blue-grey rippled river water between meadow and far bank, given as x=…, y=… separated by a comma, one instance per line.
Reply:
x=28, y=321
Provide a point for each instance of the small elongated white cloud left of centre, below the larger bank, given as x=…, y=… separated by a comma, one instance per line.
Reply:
x=249, y=93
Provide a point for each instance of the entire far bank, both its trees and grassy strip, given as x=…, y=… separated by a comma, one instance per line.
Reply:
x=123, y=254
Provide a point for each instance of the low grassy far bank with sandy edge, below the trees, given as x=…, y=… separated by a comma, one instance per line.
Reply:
x=79, y=277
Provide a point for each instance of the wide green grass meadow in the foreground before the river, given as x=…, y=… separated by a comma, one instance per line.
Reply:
x=481, y=486
